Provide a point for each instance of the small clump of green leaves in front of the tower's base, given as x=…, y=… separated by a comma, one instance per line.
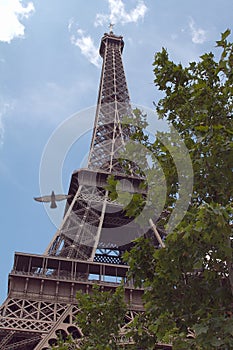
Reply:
x=100, y=316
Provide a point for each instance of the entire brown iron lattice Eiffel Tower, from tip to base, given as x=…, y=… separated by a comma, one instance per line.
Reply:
x=95, y=232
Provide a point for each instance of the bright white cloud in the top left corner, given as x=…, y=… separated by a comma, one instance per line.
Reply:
x=11, y=14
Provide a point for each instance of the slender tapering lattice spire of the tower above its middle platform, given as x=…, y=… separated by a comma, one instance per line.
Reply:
x=110, y=134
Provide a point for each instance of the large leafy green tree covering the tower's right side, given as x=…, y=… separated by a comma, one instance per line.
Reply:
x=189, y=283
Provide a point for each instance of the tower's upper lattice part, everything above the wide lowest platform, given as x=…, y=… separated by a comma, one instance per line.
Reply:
x=94, y=227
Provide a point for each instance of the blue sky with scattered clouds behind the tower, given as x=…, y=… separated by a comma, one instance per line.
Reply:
x=50, y=69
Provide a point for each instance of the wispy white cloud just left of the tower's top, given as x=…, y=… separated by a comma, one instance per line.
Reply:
x=86, y=45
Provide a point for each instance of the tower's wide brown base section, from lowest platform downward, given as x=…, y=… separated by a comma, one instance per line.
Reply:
x=41, y=302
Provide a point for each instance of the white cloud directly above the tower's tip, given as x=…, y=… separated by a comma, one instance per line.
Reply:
x=118, y=13
